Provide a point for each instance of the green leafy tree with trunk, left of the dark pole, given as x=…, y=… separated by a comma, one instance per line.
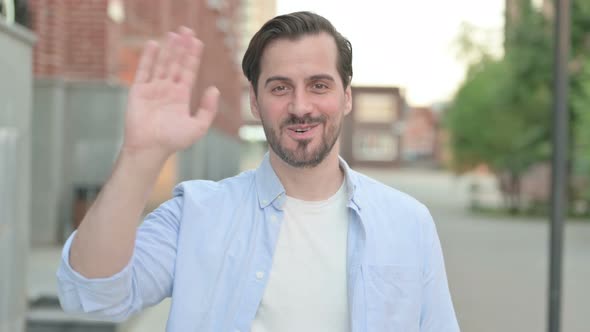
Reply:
x=500, y=115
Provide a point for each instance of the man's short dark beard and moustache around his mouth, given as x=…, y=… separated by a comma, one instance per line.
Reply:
x=303, y=156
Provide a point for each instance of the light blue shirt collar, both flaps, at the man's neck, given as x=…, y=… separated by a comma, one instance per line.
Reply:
x=271, y=191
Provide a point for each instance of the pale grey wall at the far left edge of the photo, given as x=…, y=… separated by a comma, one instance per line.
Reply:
x=15, y=164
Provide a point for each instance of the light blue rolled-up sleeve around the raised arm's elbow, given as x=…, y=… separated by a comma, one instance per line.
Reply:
x=146, y=280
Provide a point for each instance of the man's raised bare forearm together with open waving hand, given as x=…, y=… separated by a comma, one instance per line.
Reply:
x=159, y=121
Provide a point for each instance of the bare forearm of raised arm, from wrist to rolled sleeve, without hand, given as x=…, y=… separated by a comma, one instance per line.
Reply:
x=105, y=239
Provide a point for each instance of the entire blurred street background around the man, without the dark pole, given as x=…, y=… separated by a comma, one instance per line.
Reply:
x=452, y=104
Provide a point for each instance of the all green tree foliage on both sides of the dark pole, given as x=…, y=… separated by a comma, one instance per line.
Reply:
x=501, y=115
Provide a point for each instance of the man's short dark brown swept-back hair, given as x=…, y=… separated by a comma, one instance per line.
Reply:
x=294, y=26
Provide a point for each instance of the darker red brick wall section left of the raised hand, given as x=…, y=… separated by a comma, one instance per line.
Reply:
x=76, y=39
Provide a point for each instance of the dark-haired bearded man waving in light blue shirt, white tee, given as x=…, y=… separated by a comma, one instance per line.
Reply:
x=303, y=243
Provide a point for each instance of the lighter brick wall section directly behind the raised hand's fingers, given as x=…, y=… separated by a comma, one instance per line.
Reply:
x=151, y=19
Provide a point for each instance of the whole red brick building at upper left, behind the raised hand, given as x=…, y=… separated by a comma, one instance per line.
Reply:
x=78, y=40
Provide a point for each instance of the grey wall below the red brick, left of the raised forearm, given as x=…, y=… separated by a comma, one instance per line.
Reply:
x=78, y=132
